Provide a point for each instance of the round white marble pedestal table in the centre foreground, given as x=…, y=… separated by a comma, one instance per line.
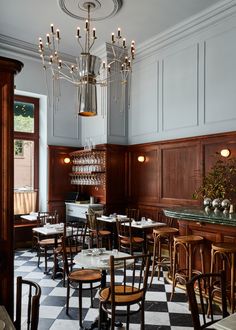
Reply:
x=100, y=259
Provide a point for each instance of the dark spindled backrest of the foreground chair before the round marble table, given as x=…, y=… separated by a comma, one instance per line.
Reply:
x=134, y=280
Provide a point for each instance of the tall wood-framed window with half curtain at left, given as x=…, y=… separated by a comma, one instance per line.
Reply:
x=26, y=154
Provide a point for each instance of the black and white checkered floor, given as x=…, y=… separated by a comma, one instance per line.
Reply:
x=160, y=313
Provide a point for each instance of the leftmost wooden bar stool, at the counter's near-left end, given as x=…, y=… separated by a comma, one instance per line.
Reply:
x=163, y=240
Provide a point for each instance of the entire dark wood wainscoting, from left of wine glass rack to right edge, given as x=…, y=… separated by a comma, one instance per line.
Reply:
x=172, y=171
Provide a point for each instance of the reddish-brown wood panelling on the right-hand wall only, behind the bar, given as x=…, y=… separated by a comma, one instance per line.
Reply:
x=172, y=170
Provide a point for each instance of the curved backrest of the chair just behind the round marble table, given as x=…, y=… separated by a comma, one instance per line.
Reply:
x=124, y=234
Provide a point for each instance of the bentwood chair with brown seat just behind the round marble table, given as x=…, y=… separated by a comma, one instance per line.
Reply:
x=127, y=242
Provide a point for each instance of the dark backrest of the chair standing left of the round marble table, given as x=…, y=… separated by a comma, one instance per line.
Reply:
x=71, y=245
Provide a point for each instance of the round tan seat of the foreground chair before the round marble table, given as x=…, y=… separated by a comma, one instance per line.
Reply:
x=120, y=296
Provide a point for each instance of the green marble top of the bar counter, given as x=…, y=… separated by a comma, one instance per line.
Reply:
x=201, y=215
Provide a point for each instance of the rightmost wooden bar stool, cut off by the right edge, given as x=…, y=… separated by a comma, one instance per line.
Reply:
x=226, y=251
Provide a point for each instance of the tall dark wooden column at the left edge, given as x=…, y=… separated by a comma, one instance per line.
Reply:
x=8, y=68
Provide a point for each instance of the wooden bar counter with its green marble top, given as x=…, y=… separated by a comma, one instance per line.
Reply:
x=212, y=226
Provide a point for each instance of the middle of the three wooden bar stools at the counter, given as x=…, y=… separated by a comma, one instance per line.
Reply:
x=189, y=244
